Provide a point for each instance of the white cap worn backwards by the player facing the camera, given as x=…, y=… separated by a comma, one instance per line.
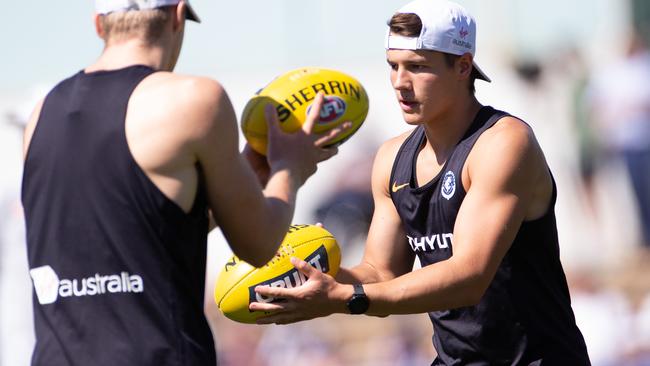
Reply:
x=446, y=27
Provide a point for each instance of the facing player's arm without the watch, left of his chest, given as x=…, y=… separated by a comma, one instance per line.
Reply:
x=386, y=255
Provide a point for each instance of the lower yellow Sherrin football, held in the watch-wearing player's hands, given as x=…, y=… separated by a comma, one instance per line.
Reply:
x=235, y=286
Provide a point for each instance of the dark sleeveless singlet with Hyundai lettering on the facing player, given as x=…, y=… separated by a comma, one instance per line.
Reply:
x=525, y=316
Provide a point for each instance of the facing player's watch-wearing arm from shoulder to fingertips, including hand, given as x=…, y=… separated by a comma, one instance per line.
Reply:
x=508, y=182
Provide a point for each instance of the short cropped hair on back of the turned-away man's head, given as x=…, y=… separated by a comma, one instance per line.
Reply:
x=147, y=25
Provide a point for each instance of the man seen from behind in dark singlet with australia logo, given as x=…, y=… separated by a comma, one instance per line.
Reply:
x=123, y=161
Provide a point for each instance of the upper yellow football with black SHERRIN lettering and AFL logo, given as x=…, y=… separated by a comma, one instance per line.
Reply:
x=292, y=95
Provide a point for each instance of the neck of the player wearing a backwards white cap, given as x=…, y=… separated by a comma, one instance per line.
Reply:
x=444, y=132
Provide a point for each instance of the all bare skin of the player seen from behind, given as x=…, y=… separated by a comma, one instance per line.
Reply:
x=175, y=123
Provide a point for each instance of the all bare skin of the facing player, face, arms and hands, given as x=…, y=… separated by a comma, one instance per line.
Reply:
x=506, y=180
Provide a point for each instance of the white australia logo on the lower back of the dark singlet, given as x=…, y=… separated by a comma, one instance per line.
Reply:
x=49, y=287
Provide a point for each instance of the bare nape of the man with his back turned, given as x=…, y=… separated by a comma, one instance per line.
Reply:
x=132, y=52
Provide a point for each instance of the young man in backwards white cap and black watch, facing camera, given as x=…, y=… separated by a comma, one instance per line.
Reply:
x=469, y=193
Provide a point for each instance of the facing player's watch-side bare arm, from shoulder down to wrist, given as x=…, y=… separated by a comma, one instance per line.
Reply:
x=504, y=170
